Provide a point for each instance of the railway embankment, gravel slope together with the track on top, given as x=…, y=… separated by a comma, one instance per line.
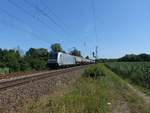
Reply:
x=13, y=98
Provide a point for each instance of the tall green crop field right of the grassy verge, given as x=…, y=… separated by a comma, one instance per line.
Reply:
x=136, y=72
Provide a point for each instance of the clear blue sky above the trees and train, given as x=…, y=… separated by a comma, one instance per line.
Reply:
x=123, y=26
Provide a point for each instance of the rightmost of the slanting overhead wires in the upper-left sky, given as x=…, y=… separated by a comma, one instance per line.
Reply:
x=38, y=9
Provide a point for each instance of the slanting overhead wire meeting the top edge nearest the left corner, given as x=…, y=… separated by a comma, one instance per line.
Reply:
x=30, y=14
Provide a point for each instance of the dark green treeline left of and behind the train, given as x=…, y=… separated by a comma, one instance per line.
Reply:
x=33, y=59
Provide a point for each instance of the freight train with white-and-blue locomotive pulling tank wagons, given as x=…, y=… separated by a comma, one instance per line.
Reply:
x=60, y=59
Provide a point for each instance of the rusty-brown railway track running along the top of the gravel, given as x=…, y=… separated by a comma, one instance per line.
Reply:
x=17, y=81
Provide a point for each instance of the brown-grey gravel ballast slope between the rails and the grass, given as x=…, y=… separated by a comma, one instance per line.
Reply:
x=13, y=99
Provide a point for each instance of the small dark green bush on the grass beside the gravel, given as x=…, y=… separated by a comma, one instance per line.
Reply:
x=93, y=71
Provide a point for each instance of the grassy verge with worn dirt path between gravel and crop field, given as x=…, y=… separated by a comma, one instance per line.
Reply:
x=105, y=94
